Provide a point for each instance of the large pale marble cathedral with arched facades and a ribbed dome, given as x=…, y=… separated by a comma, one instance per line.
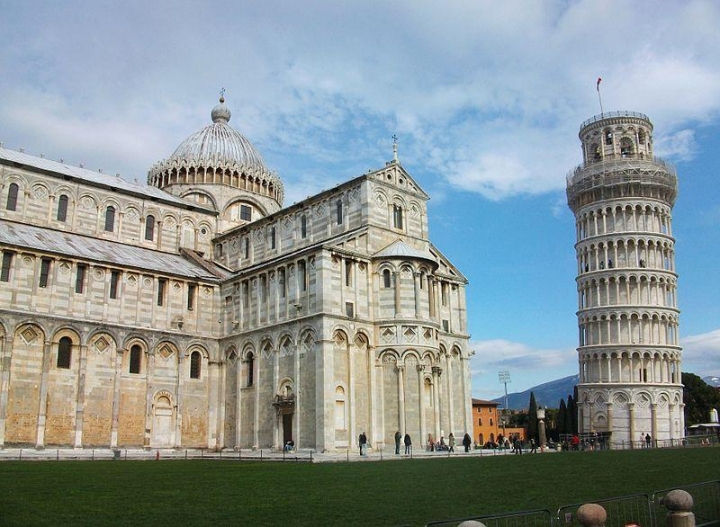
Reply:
x=198, y=312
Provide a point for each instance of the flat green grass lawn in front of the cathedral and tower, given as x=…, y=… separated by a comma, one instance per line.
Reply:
x=406, y=492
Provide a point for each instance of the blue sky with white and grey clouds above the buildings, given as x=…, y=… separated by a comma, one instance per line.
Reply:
x=486, y=99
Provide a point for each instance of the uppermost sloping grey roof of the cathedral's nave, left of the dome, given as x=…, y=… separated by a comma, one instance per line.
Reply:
x=90, y=177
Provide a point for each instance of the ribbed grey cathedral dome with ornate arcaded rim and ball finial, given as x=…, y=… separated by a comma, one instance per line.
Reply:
x=217, y=154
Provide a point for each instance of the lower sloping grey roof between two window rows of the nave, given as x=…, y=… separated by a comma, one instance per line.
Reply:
x=104, y=251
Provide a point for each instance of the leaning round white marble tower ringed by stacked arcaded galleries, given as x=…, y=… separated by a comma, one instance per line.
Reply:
x=629, y=354
